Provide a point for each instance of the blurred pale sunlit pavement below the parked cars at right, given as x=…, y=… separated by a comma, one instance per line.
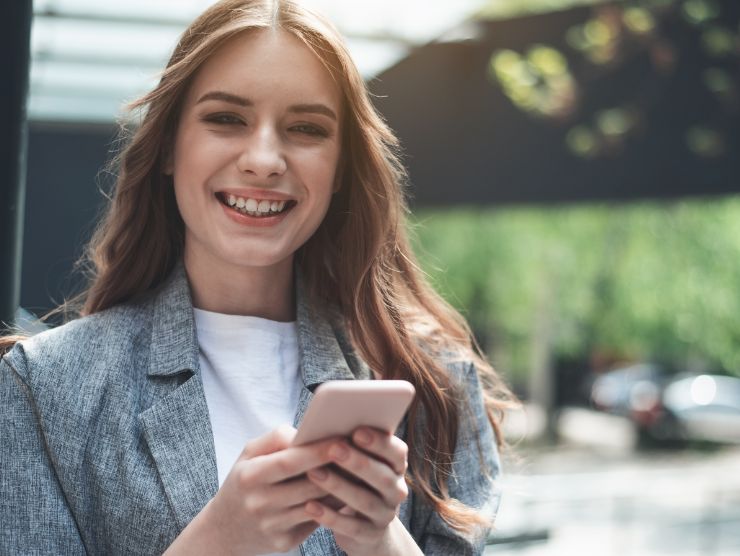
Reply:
x=592, y=496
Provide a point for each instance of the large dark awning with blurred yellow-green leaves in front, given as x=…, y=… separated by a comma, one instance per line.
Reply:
x=606, y=102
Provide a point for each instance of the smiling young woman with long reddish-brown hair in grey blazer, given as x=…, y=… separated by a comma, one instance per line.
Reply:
x=254, y=248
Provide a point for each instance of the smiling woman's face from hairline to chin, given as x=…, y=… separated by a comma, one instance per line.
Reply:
x=256, y=153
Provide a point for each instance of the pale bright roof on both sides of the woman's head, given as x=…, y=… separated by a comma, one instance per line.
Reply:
x=90, y=57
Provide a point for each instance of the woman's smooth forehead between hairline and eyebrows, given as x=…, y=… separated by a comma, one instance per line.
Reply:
x=267, y=64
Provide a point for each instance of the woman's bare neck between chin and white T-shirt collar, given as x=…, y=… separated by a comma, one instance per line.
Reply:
x=265, y=292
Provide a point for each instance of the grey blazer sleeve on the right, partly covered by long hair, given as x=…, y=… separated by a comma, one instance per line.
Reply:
x=476, y=467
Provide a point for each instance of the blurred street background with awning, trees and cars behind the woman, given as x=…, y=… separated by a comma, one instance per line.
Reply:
x=575, y=178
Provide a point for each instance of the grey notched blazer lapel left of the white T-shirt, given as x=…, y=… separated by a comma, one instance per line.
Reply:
x=176, y=426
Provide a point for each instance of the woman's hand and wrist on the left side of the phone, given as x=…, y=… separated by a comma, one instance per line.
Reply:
x=261, y=505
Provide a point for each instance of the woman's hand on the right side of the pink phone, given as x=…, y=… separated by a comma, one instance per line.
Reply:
x=368, y=522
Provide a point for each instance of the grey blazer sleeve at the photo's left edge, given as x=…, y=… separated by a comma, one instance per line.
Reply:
x=35, y=516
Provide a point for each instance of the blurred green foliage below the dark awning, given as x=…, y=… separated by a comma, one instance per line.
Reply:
x=655, y=281
